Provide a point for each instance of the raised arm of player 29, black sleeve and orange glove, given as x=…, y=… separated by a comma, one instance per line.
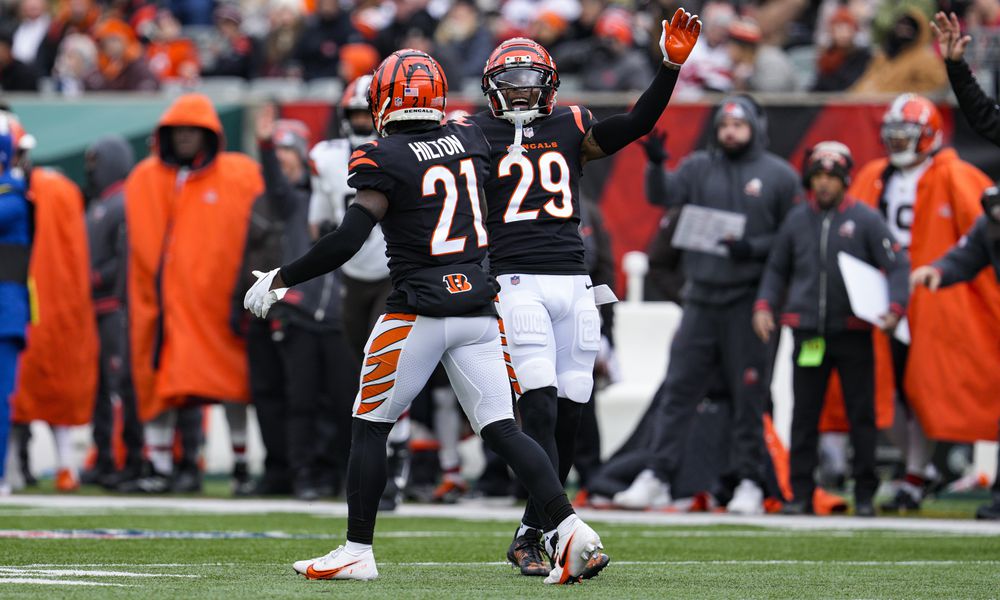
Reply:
x=611, y=135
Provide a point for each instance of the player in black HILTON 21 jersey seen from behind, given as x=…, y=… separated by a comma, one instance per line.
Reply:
x=421, y=181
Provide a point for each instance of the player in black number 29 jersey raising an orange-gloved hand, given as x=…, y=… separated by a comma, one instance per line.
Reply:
x=549, y=317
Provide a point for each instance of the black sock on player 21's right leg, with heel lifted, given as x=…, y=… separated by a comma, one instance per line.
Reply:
x=526, y=458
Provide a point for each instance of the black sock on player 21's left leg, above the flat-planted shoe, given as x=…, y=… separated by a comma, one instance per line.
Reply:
x=366, y=475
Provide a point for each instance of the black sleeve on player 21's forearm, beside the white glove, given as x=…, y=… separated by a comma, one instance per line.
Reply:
x=333, y=249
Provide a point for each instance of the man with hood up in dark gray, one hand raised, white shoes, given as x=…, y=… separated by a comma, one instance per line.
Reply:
x=738, y=175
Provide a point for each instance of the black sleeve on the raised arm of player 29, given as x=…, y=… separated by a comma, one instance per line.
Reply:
x=616, y=132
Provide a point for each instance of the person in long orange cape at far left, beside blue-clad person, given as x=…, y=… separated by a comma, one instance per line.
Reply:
x=57, y=381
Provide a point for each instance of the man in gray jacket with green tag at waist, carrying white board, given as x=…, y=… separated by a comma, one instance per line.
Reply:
x=803, y=276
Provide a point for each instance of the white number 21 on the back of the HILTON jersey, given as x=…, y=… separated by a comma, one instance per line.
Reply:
x=441, y=240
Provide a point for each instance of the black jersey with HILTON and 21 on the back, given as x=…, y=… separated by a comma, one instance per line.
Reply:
x=432, y=181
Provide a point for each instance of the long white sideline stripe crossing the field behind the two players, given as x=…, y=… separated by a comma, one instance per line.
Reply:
x=485, y=511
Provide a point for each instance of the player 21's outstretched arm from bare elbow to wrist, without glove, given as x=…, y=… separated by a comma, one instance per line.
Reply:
x=335, y=248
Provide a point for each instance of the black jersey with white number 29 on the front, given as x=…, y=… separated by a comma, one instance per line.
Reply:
x=534, y=199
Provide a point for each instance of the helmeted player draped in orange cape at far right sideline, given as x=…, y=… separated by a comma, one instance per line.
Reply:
x=946, y=379
